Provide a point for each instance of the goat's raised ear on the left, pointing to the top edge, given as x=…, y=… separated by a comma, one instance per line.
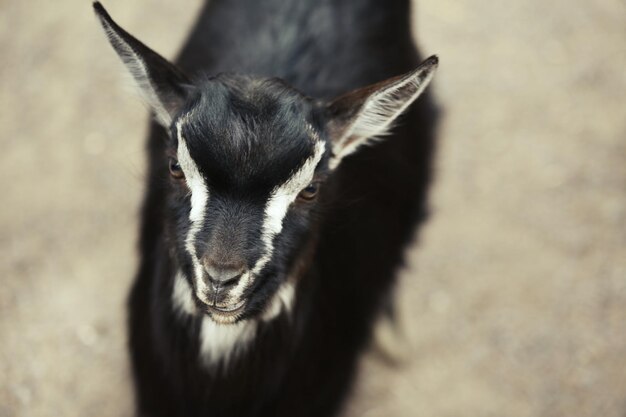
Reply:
x=163, y=86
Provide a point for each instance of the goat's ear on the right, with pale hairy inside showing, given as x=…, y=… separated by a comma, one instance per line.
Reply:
x=368, y=113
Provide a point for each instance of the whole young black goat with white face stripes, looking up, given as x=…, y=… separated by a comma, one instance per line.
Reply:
x=270, y=247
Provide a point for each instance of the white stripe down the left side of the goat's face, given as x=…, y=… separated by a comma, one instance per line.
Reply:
x=199, y=201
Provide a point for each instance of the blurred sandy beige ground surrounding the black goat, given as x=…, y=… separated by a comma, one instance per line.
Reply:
x=513, y=300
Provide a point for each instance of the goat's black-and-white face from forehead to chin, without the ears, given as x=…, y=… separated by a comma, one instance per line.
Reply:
x=246, y=162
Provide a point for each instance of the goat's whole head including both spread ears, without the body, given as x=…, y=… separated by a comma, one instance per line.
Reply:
x=247, y=157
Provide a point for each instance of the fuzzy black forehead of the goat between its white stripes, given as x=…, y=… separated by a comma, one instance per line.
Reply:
x=239, y=143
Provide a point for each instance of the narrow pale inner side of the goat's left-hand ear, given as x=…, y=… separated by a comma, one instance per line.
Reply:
x=140, y=74
